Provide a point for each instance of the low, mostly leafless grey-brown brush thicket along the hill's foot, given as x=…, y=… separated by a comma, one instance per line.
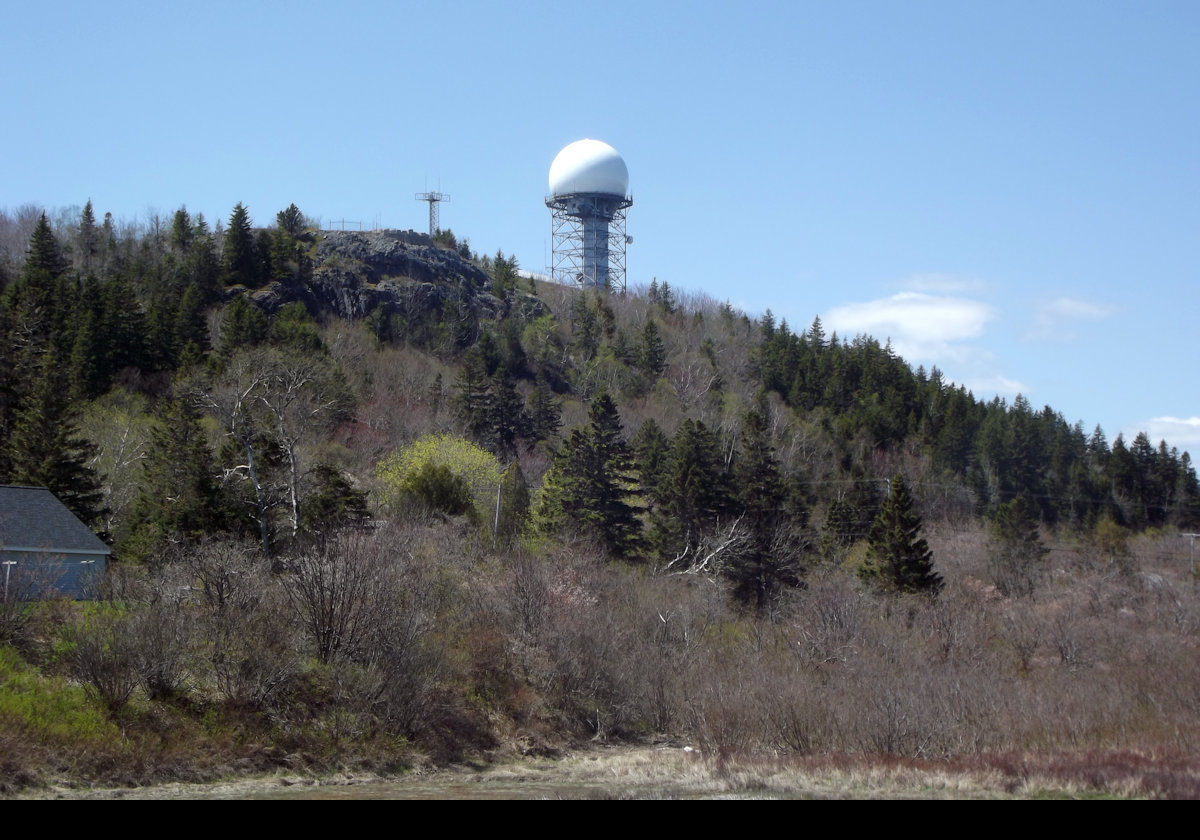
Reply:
x=377, y=647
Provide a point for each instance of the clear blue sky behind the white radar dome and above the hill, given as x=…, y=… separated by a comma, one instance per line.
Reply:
x=1010, y=191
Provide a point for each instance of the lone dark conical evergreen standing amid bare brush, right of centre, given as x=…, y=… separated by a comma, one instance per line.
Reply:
x=898, y=560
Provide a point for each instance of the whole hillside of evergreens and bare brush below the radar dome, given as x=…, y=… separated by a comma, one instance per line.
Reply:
x=412, y=493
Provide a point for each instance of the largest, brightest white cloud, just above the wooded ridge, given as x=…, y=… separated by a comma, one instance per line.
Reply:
x=922, y=327
